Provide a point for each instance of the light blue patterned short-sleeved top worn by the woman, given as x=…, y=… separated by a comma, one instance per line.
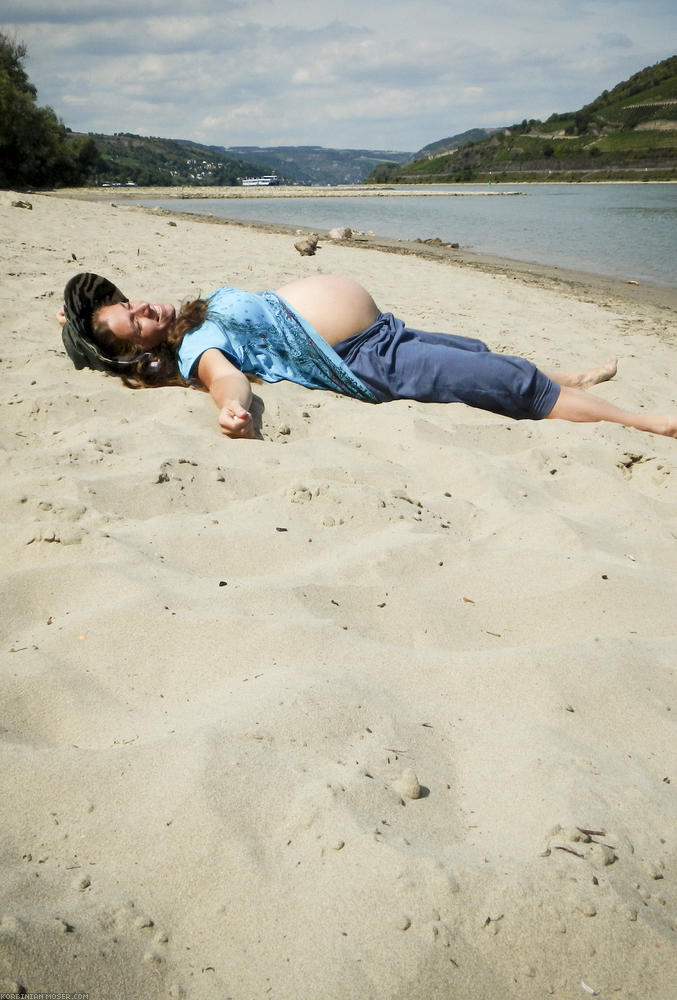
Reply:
x=261, y=334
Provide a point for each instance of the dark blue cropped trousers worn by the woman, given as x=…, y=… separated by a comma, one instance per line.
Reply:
x=396, y=362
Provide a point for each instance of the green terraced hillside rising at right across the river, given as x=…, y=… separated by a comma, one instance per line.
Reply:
x=627, y=133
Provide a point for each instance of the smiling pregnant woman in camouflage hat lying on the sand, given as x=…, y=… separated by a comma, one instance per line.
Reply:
x=324, y=333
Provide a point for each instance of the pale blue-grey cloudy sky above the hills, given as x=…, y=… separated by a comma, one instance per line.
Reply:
x=373, y=74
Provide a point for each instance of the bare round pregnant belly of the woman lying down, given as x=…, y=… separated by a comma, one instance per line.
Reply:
x=337, y=308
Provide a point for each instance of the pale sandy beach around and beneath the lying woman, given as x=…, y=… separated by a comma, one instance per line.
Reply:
x=228, y=666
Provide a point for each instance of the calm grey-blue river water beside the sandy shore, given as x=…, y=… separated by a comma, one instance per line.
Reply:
x=624, y=231
